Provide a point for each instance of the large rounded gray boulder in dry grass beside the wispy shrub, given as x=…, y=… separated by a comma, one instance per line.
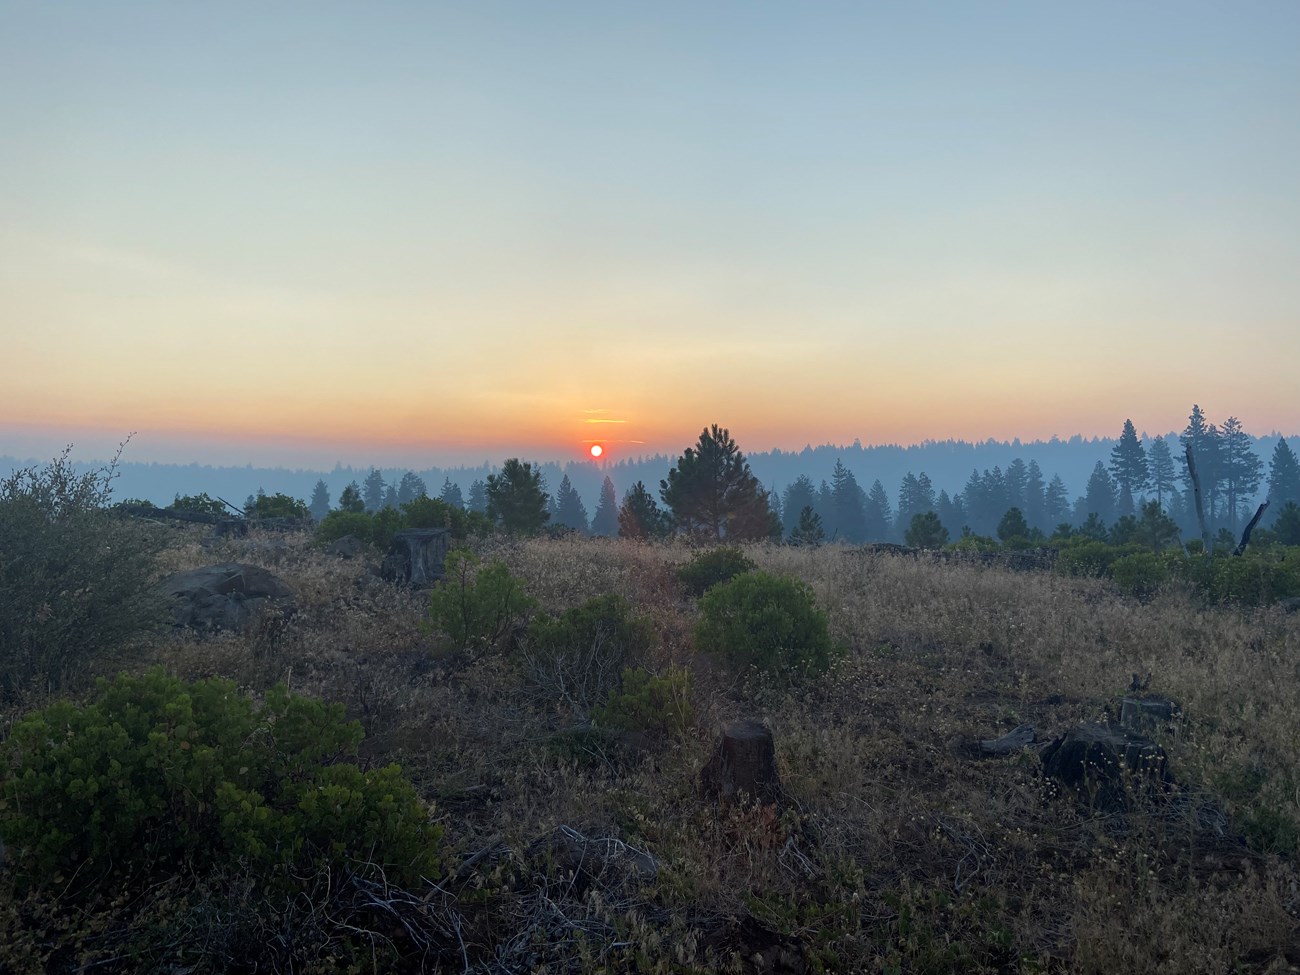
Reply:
x=229, y=596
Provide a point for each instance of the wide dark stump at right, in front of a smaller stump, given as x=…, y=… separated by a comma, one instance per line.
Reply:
x=1104, y=765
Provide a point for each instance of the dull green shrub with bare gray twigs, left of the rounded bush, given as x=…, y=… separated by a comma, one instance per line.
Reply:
x=578, y=658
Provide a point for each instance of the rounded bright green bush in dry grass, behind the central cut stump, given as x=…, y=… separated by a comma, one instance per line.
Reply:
x=766, y=623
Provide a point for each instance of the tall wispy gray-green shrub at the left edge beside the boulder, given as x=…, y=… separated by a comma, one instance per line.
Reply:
x=76, y=578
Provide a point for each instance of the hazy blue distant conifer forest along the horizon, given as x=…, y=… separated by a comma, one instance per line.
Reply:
x=863, y=493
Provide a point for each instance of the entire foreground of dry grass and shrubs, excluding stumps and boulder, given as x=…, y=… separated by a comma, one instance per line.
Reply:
x=505, y=774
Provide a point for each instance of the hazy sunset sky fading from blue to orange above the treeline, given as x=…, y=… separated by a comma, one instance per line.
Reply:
x=410, y=233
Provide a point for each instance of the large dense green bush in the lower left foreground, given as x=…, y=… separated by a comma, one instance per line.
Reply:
x=157, y=777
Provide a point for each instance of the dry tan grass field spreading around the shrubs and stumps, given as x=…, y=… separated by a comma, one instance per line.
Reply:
x=896, y=847
